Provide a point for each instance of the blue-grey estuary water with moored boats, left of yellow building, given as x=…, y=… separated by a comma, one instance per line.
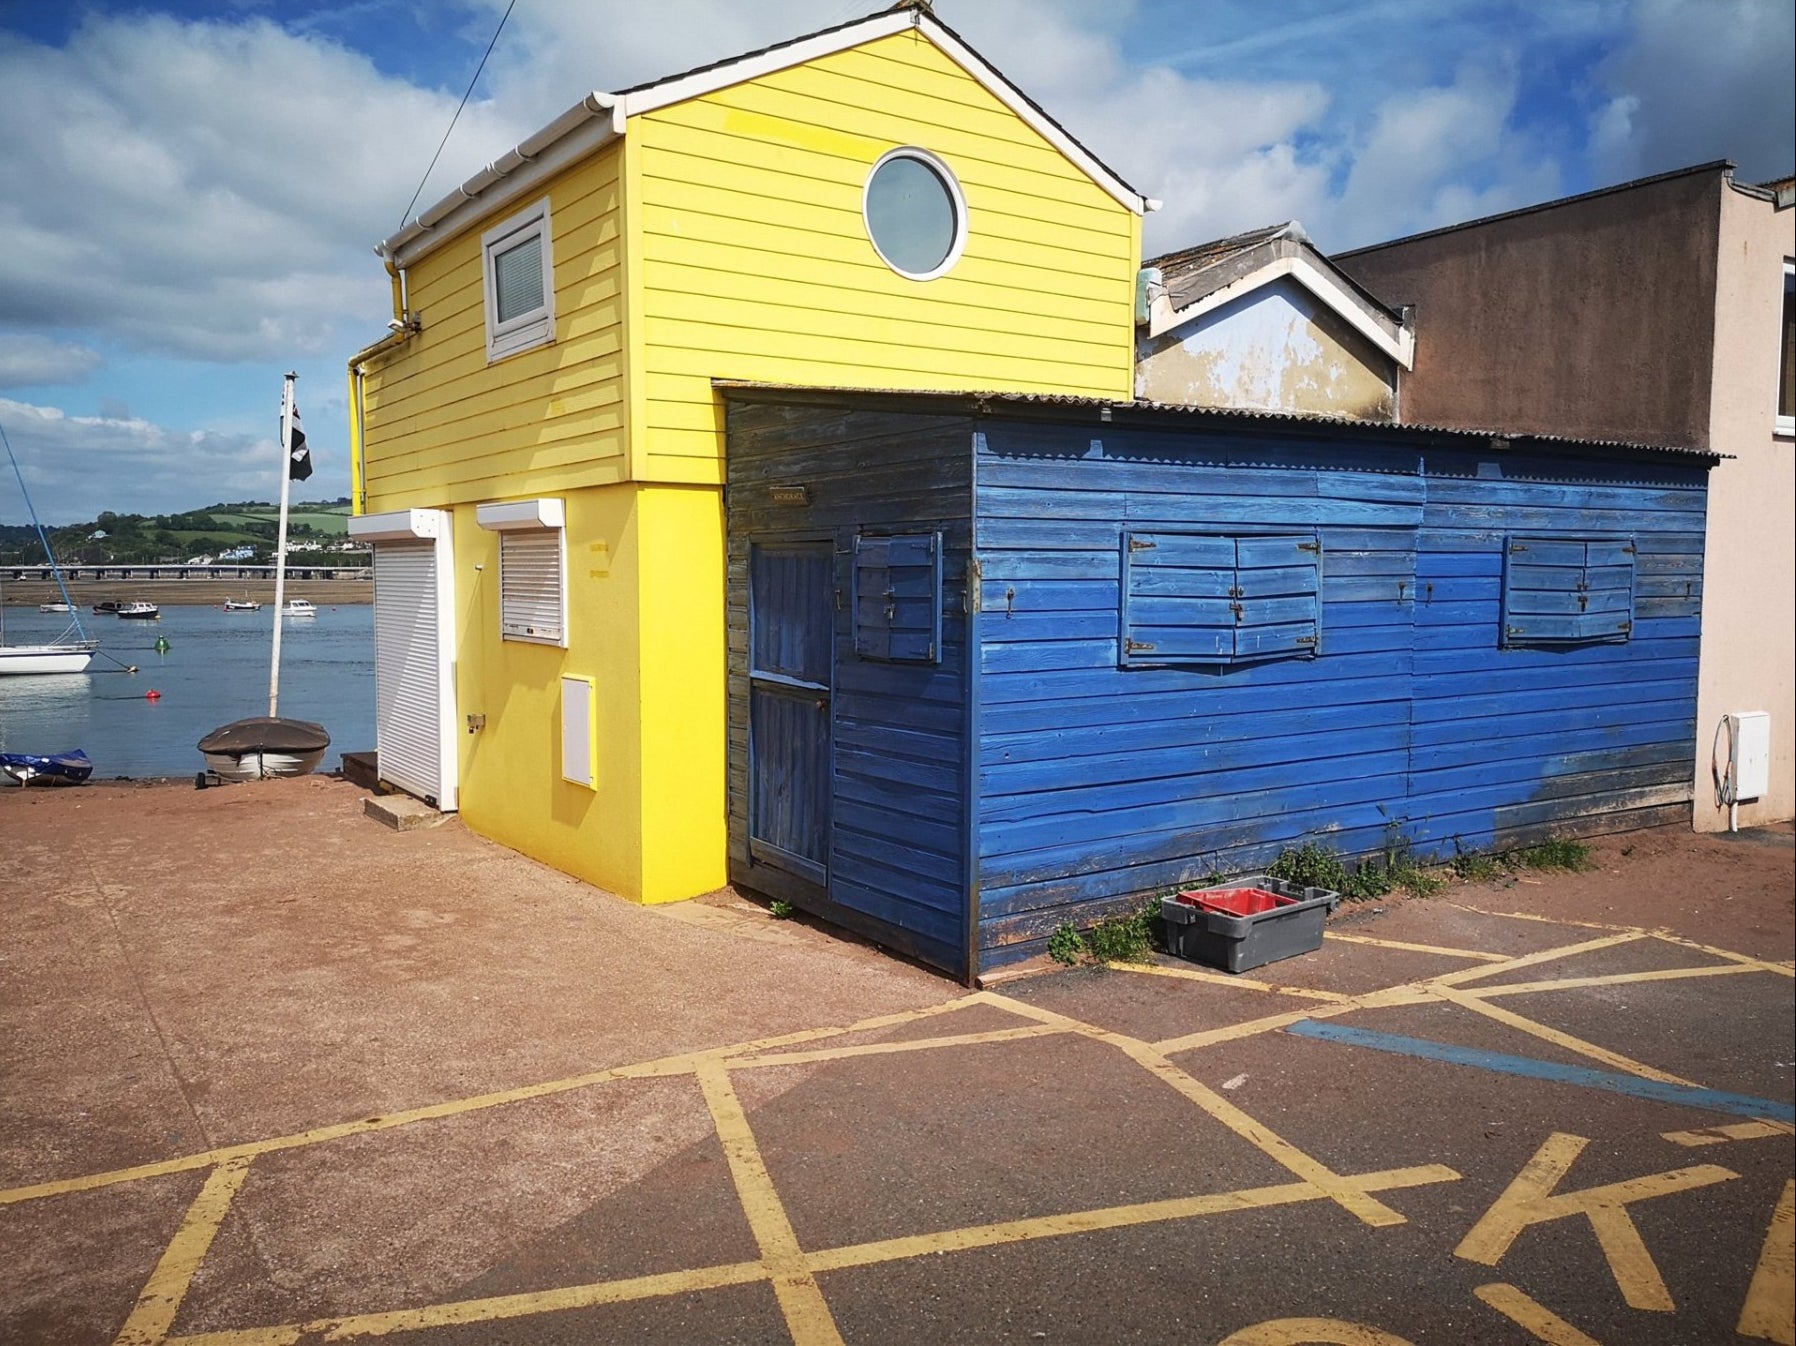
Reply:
x=215, y=671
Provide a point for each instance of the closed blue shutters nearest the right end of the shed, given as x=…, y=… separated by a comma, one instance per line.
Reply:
x=1569, y=590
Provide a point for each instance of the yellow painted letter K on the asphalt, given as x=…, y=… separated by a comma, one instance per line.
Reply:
x=1531, y=1200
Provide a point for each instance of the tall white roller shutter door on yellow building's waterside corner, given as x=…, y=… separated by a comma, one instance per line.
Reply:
x=409, y=671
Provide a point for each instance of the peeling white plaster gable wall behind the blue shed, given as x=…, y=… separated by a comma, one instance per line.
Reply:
x=1276, y=350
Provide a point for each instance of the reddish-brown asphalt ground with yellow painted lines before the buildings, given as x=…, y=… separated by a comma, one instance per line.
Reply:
x=1545, y=1113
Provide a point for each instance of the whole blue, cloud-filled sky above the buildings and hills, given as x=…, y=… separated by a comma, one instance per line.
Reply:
x=189, y=191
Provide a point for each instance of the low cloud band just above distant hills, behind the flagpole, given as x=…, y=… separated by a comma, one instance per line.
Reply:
x=80, y=466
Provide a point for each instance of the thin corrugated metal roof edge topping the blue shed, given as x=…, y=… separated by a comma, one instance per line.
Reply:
x=982, y=402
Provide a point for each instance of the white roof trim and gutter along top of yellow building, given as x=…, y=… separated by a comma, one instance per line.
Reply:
x=601, y=120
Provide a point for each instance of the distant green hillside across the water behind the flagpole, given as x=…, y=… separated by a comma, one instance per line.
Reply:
x=173, y=538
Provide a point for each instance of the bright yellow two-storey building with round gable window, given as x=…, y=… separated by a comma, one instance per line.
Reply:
x=540, y=448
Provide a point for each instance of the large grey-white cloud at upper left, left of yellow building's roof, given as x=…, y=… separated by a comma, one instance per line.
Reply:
x=207, y=190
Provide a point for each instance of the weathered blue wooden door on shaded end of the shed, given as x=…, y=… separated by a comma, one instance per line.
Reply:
x=791, y=657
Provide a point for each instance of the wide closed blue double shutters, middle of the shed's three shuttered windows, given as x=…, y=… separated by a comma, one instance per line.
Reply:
x=1220, y=599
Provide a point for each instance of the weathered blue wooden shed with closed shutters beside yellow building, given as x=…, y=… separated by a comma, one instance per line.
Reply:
x=1008, y=662
